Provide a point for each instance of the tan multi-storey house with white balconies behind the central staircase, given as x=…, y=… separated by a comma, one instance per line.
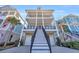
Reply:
x=40, y=17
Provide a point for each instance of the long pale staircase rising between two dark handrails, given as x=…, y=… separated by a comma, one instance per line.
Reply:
x=40, y=44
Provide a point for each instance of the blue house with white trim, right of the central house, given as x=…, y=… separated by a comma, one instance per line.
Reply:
x=70, y=25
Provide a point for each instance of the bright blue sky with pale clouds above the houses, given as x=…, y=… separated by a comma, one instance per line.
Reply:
x=59, y=10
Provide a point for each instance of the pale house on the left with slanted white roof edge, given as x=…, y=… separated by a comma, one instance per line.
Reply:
x=7, y=16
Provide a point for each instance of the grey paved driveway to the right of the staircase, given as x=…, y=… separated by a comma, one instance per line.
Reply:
x=57, y=49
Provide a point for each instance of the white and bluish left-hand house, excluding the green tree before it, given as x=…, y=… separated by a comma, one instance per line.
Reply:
x=9, y=11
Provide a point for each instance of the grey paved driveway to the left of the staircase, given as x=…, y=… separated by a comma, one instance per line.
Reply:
x=22, y=49
